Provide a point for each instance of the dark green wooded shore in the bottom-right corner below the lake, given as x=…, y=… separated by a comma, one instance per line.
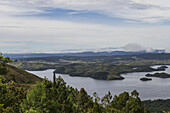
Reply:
x=157, y=106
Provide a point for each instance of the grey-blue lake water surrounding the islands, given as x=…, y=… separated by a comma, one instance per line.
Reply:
x=158, y=88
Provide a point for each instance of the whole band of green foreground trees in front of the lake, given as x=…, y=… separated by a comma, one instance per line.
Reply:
x=45, y=97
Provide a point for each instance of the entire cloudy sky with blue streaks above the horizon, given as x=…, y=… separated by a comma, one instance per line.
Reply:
x=50, y=26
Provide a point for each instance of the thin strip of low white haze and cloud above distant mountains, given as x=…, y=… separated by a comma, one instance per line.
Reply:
x=133, y=47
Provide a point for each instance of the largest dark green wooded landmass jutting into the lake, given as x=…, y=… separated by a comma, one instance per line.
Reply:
x=102, y=72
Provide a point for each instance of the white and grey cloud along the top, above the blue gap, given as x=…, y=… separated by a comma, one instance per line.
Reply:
x=149, y=11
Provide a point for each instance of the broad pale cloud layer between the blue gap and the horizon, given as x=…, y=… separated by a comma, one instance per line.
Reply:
x=70, y=35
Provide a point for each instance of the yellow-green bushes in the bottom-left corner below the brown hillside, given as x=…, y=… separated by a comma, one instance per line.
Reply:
x=11, y=95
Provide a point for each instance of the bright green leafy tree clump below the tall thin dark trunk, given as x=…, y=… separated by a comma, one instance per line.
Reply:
x=48, y=98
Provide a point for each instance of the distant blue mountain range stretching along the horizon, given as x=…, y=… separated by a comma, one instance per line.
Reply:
x=80, y=54
